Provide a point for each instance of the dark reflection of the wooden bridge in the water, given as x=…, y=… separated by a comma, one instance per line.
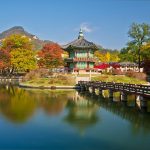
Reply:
x=139, y=121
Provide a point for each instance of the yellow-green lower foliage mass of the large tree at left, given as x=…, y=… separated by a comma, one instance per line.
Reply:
x=23, y=59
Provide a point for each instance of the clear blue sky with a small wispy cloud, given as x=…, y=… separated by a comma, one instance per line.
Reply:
x=104, y=22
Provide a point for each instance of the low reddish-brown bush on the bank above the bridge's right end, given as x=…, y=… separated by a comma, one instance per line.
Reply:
x=137, y=75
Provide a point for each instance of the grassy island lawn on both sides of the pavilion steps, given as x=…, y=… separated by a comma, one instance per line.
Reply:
x=68, y=80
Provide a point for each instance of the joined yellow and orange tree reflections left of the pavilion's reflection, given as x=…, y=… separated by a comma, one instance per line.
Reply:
x=18, y=105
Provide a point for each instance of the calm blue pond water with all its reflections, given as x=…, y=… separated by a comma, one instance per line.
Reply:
x=69, y=120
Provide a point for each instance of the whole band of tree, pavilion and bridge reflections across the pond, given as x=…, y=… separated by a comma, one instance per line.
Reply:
x=82, y=110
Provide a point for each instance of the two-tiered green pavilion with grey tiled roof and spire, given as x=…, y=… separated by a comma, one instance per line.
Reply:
x=81, y=54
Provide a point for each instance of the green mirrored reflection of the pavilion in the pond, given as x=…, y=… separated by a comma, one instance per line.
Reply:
x=82, y=113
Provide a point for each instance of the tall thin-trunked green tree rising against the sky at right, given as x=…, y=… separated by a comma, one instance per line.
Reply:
x=140, y=34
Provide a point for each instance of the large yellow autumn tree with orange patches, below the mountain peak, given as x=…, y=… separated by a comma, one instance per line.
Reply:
x=22, y=57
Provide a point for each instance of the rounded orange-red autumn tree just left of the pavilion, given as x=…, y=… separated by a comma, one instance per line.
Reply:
x=50, y=56
